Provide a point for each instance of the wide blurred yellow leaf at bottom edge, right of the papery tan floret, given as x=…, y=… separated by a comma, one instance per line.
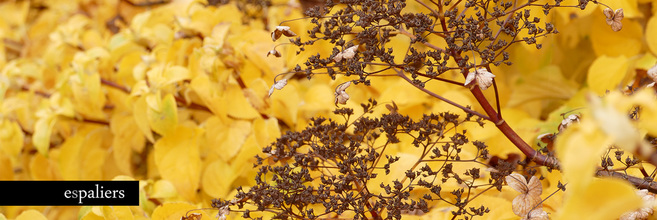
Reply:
x=602, y=199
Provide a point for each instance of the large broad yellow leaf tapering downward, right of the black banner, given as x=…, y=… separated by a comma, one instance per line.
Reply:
x=178, y=160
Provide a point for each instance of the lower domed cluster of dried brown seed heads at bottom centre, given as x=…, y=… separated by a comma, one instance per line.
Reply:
x=326, y=166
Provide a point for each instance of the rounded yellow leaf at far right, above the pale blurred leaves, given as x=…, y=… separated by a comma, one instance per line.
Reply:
x=606, y=73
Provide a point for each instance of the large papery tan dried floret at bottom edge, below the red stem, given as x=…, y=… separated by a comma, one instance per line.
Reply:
x=530, y=193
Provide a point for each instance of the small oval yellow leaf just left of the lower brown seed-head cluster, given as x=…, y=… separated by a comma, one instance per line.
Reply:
x=217, y=178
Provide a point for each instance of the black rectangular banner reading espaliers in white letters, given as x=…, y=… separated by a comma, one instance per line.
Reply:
x=69, y=193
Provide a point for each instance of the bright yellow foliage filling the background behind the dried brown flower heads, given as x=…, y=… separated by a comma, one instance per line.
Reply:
x=175, y=95
